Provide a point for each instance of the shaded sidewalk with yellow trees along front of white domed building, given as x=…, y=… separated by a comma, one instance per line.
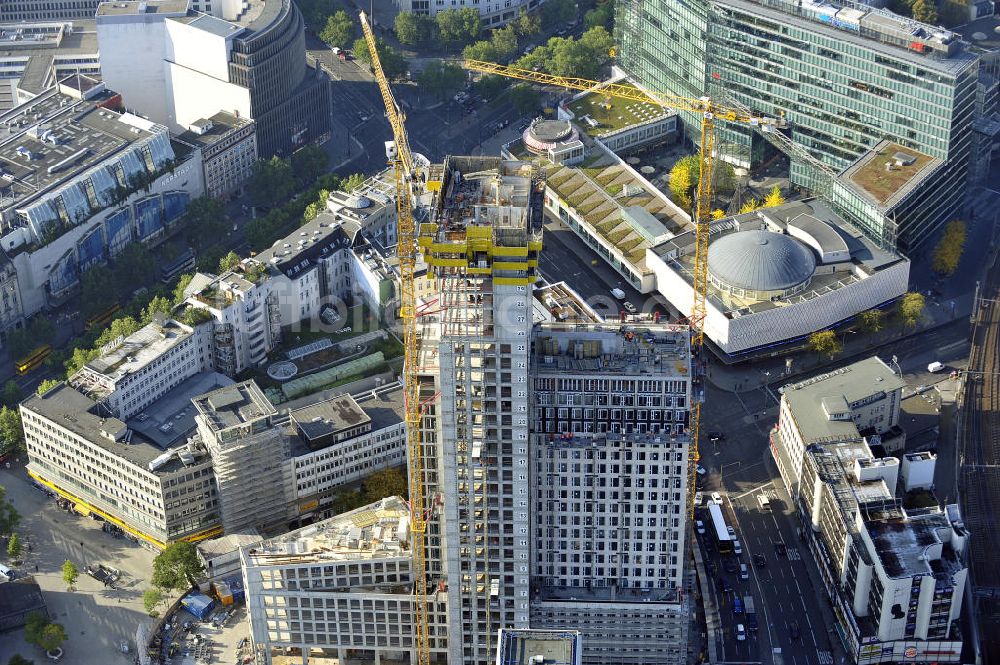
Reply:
x=856, y=345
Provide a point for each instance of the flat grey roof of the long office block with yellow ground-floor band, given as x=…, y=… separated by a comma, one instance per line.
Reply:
x=81, y=415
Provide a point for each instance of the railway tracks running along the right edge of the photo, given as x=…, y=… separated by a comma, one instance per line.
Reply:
x=979, y=464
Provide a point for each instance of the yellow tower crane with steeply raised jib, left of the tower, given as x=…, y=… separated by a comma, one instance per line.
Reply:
x=401, y=158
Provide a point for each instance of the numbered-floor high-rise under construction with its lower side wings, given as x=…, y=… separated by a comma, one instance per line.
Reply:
x=553, y=460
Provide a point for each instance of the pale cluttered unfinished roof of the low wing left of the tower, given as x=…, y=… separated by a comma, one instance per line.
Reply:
x=376, y=531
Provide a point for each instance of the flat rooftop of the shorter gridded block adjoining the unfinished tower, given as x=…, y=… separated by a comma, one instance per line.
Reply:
x=660, y=349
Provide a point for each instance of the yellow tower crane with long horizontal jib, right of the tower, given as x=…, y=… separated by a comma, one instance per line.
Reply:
x=710, y=111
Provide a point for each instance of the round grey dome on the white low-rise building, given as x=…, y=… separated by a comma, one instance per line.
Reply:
x=760, y=265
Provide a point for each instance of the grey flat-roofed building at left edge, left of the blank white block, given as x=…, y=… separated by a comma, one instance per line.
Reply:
x=35, y=56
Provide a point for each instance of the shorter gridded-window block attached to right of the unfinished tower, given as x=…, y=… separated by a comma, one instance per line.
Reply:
x=609, y=487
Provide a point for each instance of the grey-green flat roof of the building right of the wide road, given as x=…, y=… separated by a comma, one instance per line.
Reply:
x=863, y=379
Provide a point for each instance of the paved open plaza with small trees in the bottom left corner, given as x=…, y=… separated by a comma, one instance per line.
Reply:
x=96, y=618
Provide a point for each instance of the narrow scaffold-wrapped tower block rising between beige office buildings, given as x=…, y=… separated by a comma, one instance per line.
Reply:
x=248, y=448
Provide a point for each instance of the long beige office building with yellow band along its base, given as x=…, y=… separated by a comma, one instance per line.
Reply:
x=139, y=473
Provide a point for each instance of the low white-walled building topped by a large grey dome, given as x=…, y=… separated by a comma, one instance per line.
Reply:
x=777, y=275
